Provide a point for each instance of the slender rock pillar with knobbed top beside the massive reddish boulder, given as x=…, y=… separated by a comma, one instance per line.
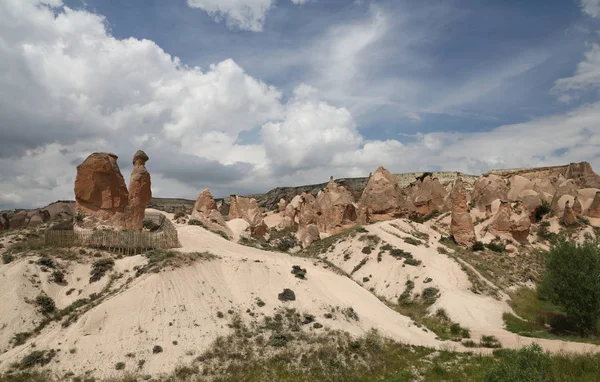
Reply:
x=140, y=191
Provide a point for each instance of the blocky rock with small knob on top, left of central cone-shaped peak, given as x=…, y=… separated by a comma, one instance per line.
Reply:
x=335, y=208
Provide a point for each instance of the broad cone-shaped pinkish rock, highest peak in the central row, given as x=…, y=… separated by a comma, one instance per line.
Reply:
x=382, y=198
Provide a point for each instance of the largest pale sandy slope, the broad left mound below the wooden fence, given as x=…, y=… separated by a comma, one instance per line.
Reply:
x=181, y=305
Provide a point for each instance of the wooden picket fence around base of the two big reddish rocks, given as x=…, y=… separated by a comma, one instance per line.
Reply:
x=126, y=242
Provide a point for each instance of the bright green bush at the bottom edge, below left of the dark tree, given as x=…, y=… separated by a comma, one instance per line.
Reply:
x=529, y=364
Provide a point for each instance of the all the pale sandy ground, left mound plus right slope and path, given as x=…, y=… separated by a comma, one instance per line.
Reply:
x=181, y=305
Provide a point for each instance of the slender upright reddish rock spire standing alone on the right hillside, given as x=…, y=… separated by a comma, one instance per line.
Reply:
x=461, y=225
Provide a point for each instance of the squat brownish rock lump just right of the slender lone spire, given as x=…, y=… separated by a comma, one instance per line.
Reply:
x=513, y=219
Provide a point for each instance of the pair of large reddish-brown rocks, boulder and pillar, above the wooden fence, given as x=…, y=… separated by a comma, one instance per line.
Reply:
x=101, y=197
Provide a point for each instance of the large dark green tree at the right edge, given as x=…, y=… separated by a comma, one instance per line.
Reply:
x=572, y=281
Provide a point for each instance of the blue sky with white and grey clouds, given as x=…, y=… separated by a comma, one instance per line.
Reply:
x=241, y=96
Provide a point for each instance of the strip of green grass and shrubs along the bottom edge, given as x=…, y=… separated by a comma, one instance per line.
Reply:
x=387, y=361
